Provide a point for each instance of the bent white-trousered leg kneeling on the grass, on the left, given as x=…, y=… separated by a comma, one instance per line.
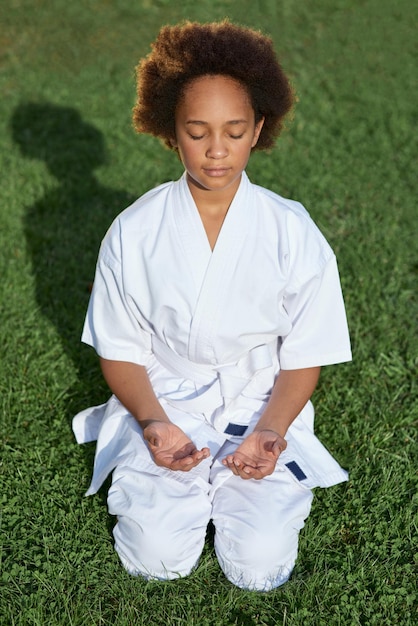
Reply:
x=161, y=525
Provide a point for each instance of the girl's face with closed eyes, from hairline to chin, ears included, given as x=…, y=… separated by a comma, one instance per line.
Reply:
x=215, y=131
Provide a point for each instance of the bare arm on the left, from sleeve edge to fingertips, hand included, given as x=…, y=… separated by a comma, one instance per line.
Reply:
x=168, y=444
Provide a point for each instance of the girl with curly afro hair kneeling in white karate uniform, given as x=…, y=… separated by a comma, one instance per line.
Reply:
x=215, y=303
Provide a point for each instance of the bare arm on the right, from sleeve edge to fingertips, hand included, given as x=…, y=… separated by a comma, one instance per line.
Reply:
x=256, y=457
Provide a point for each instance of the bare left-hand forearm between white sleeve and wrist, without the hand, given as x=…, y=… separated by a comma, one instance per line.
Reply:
x=131, y=385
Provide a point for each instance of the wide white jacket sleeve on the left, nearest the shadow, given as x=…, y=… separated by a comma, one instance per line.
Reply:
x=111, y=327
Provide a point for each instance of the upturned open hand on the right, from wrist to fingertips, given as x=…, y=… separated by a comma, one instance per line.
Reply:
x=256, y=457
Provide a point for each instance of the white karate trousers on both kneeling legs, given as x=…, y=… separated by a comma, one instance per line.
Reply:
x=163, y=517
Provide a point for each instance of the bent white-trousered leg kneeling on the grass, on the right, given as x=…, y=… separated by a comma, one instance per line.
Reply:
x=257, y=528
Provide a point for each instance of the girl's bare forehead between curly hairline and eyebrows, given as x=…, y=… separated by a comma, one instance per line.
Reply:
x=215, y=91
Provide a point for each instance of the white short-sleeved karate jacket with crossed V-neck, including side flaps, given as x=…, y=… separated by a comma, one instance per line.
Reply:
x=214, y=328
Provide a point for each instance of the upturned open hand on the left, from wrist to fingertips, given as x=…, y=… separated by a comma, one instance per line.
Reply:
x=171, y=448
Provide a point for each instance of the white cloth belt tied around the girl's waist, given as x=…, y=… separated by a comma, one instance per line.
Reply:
x=220, y=383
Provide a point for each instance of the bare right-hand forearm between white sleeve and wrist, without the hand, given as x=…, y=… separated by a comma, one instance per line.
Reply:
x=291, y=391
